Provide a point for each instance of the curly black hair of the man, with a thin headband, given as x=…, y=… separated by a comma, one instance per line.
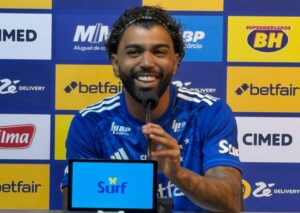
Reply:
x=146, y=16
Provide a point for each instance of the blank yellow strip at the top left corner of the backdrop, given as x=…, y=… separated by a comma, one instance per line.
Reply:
x=26, y=4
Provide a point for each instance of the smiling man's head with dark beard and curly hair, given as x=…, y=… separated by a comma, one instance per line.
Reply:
x=145, y=47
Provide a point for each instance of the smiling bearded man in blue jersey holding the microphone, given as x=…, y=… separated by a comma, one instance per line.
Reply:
x=193, y=136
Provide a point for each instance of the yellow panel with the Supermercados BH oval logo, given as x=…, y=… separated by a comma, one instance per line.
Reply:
x=239, y=28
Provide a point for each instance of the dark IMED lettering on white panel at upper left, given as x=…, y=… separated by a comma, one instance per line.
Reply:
x=18, y=35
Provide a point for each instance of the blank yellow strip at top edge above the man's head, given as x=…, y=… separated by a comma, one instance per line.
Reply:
x=190, y=5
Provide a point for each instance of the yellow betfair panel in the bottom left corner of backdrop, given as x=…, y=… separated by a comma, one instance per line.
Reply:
x=27, y=183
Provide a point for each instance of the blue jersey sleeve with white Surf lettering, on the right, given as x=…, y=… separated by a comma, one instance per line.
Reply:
x=220, y=144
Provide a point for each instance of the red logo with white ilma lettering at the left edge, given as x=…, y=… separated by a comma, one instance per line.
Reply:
x=14, y=137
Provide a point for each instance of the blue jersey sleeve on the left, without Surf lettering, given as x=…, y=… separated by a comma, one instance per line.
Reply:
x=80, y=141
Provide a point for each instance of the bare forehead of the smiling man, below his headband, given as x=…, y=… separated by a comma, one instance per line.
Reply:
x=137, y=34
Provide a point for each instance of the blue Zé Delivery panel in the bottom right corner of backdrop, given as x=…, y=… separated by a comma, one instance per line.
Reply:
x=274, y=187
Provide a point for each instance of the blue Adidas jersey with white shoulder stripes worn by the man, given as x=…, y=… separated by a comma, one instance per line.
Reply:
x=203, y=125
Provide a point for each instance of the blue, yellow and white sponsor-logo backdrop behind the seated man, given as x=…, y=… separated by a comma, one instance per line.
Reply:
x=53, y=63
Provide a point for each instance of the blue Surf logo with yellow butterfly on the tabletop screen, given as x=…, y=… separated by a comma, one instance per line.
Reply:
x=112, y=187
